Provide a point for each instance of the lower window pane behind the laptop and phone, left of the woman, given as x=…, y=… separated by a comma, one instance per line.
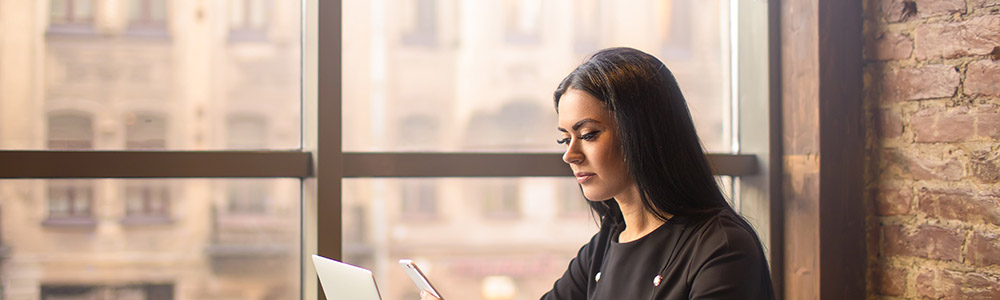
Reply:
x=476, y=238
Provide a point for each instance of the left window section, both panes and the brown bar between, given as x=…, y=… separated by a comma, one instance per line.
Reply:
x=119, y=147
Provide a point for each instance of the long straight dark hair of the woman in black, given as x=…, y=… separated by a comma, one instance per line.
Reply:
x=662, y=151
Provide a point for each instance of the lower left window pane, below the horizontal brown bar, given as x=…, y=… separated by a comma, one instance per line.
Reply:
x=149, y=239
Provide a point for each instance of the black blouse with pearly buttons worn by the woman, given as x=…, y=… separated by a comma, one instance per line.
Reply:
x=712, y=257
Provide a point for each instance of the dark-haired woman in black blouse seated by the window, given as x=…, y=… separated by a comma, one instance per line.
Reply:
x=667, y=231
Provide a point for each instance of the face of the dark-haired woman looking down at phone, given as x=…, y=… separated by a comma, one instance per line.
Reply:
x=589, y=132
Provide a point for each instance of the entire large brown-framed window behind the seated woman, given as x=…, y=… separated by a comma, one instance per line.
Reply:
x=382, y=83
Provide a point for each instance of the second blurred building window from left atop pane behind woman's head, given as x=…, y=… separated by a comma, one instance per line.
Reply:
x=522, y=21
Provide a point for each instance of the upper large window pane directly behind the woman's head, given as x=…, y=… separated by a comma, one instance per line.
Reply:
x=450, y=75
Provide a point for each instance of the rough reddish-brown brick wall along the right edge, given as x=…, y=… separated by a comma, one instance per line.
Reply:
x=932, y=88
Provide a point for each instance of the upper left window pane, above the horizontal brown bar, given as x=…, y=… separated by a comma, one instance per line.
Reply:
x=149, y=74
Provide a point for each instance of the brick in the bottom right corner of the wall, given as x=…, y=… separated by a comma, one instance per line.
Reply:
x=947, y=284
